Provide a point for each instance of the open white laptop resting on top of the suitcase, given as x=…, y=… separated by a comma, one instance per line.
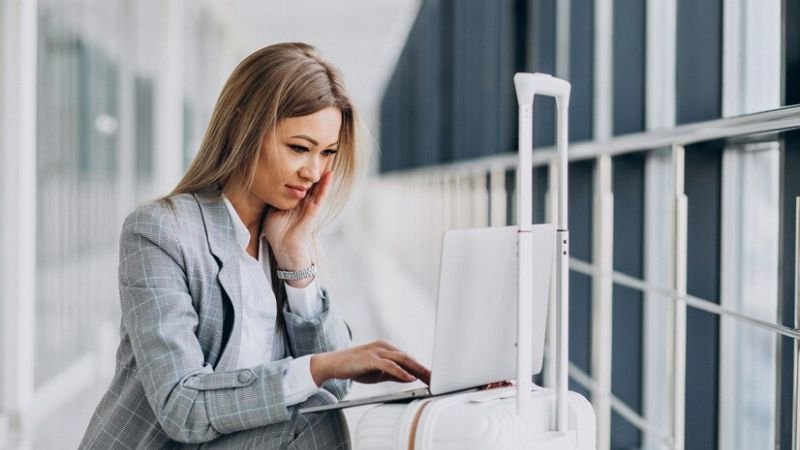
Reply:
x=476, y=327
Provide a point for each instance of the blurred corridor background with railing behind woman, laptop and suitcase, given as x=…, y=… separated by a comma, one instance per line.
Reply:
x=684, y=179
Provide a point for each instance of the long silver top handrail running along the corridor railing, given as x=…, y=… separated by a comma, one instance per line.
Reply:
x=776, y=120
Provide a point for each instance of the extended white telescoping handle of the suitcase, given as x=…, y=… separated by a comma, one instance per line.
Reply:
x=528, y=85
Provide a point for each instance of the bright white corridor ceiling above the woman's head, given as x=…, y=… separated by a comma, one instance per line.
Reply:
x=361, y=37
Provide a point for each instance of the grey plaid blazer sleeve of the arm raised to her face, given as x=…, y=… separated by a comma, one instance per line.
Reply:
x=323, y=333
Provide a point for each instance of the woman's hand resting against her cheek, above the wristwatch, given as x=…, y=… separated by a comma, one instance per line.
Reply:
x=289, y=231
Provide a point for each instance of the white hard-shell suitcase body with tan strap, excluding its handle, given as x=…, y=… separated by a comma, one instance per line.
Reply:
x=476, y=420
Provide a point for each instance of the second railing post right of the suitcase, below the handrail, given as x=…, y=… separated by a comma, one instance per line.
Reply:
x=678, y=385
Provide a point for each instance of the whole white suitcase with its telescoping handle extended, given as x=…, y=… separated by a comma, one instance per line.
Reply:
x=523, y=416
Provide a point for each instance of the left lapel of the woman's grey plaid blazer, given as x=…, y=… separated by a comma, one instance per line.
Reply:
x=222, y=242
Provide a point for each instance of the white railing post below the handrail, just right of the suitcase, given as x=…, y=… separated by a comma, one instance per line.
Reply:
x=602, y=299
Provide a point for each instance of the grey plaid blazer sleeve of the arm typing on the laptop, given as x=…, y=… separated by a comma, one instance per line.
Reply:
x=192, y=403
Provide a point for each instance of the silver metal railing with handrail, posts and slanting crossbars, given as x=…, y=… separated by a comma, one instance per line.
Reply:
x=472, y=193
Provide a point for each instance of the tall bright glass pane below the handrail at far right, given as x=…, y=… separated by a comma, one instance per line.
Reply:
x=749, y=269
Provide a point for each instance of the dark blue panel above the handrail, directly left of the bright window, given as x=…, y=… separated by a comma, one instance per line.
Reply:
x=699, y=61
